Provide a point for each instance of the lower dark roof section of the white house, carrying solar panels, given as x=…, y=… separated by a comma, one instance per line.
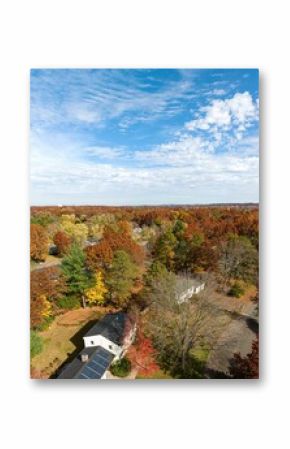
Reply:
x=98, y=362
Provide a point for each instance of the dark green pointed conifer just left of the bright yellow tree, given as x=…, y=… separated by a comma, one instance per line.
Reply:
x=78, y=279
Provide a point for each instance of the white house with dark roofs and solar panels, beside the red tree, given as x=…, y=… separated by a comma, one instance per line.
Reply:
x=107, y=341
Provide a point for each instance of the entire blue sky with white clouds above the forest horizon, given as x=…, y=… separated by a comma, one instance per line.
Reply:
x=146, y=136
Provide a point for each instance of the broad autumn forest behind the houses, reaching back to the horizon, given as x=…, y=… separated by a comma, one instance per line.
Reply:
x=104, y=256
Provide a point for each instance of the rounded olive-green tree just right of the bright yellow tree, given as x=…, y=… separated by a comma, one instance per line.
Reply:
x=120, y=278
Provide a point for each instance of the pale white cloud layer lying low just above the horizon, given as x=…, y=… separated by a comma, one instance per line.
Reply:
x=185, y=170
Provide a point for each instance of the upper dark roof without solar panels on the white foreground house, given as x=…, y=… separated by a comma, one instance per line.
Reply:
x=112, y=327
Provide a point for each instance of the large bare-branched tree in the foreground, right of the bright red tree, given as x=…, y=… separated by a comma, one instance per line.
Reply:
x=176, y=329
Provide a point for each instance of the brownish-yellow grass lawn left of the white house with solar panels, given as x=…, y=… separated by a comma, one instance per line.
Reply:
x=63, y=338
